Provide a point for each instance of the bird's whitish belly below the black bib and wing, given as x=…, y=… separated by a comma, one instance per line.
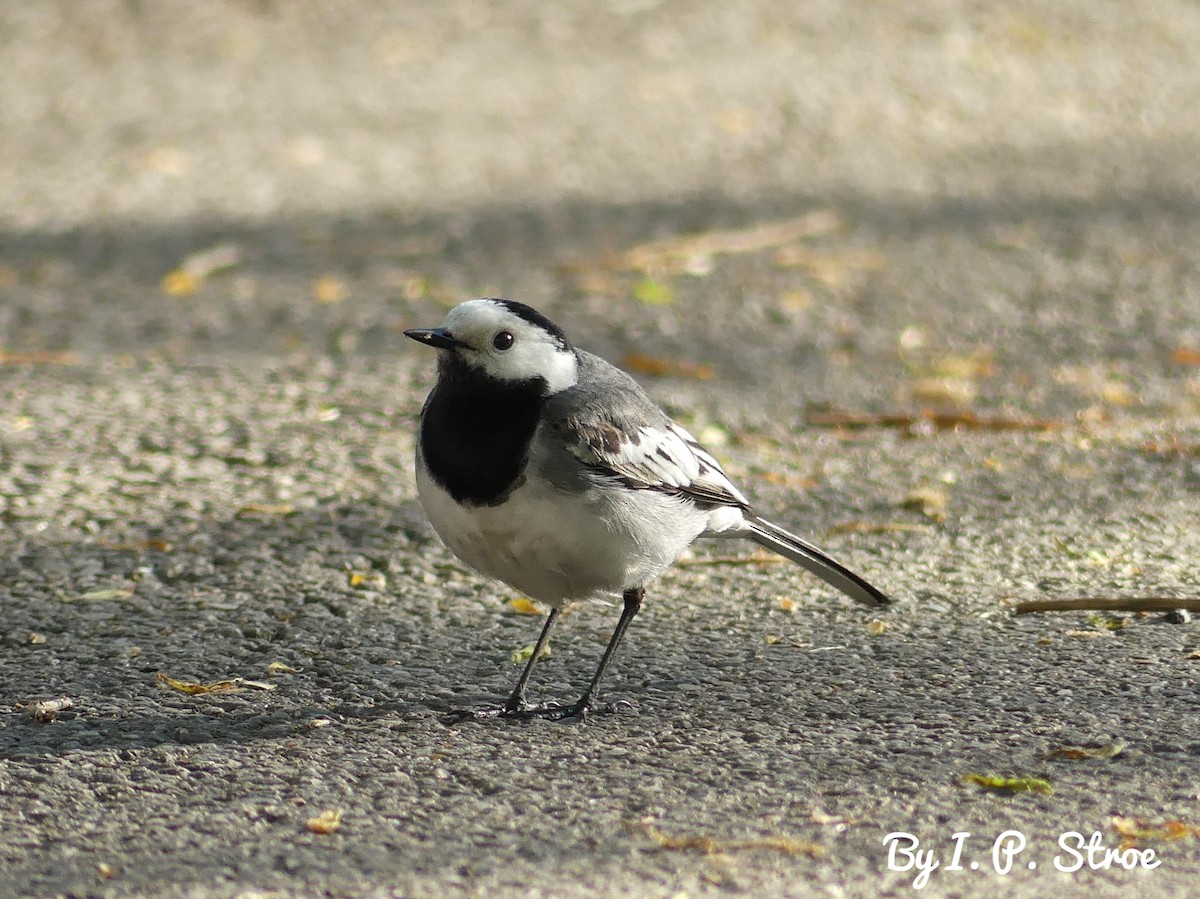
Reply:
x=557, y=547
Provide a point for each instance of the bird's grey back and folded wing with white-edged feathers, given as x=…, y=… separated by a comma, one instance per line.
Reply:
x=610, y=425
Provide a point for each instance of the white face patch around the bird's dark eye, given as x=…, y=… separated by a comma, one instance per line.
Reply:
x=536, y=352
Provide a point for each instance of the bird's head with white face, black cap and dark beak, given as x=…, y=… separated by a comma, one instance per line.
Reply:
x=503, y=341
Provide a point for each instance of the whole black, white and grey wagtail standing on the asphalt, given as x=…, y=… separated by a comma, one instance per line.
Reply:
x=549, y=469
